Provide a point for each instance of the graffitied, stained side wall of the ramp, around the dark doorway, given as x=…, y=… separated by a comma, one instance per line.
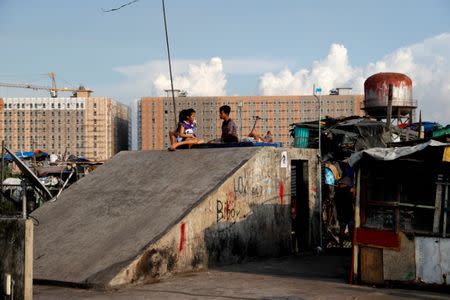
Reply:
x=246, y=216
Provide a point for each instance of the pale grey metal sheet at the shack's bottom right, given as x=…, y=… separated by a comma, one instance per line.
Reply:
x=432, y=260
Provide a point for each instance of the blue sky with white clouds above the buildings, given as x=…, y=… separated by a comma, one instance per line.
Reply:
x=122, y=54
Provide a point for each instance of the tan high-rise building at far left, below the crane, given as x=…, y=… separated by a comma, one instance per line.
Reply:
x=93, y=127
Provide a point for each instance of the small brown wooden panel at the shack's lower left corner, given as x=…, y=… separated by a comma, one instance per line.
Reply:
x=372, y=265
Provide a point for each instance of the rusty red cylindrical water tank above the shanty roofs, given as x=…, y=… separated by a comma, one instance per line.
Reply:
x=376, y=93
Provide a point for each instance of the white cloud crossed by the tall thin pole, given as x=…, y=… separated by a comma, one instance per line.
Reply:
x=198, y=77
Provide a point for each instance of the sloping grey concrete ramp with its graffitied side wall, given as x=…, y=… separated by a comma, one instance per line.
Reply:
x=145, y=215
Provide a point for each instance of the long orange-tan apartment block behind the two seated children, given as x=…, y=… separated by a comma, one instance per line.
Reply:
x=155, y=115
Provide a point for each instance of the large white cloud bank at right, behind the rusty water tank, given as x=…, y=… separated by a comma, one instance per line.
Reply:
x=427, y=63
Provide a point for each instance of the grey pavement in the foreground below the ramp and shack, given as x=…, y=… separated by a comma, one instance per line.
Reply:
x=293, y=278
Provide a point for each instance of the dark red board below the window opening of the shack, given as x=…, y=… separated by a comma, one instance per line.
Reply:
x=380, y=238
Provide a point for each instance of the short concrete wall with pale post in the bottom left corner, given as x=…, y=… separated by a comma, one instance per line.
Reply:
x=16, y=253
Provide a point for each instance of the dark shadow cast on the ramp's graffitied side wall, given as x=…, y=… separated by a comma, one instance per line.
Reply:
x=264, y=232
